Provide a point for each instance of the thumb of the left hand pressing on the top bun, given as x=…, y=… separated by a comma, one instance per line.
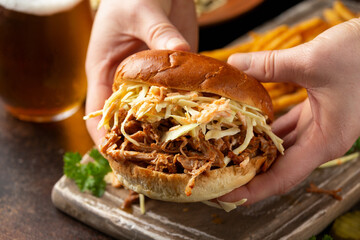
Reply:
x=159, y=33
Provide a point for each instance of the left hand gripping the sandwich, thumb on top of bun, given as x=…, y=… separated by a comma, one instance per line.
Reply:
x=122, y=28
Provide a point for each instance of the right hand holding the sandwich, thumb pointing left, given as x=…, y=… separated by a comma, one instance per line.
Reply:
x=325, y=125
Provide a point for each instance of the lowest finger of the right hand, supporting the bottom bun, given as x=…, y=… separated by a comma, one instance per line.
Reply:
x=285, y=173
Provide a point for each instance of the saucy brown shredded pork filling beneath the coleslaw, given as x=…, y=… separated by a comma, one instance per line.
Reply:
x=185, y=154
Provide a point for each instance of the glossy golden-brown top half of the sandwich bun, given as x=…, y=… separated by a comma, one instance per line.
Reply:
x=193, y=72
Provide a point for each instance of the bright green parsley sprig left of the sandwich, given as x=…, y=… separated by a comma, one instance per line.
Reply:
x=89, y=176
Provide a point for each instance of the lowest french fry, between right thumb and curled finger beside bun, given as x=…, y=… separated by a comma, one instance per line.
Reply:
x=289, y=100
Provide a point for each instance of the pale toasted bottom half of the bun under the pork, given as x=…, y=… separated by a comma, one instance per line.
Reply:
x=171, y=187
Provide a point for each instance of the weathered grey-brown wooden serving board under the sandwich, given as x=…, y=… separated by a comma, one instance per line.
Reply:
x=295, y=215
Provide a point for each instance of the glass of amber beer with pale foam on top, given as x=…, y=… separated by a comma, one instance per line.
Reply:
x=43, y=47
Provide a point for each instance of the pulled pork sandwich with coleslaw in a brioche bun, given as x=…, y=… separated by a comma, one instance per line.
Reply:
x=184, y=127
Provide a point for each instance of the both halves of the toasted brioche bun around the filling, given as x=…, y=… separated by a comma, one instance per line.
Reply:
x=191, y=72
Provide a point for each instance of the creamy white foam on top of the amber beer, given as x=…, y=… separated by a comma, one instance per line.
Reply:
x=39, y=7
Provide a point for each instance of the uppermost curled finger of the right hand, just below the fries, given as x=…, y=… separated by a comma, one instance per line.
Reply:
x=287, y=123
